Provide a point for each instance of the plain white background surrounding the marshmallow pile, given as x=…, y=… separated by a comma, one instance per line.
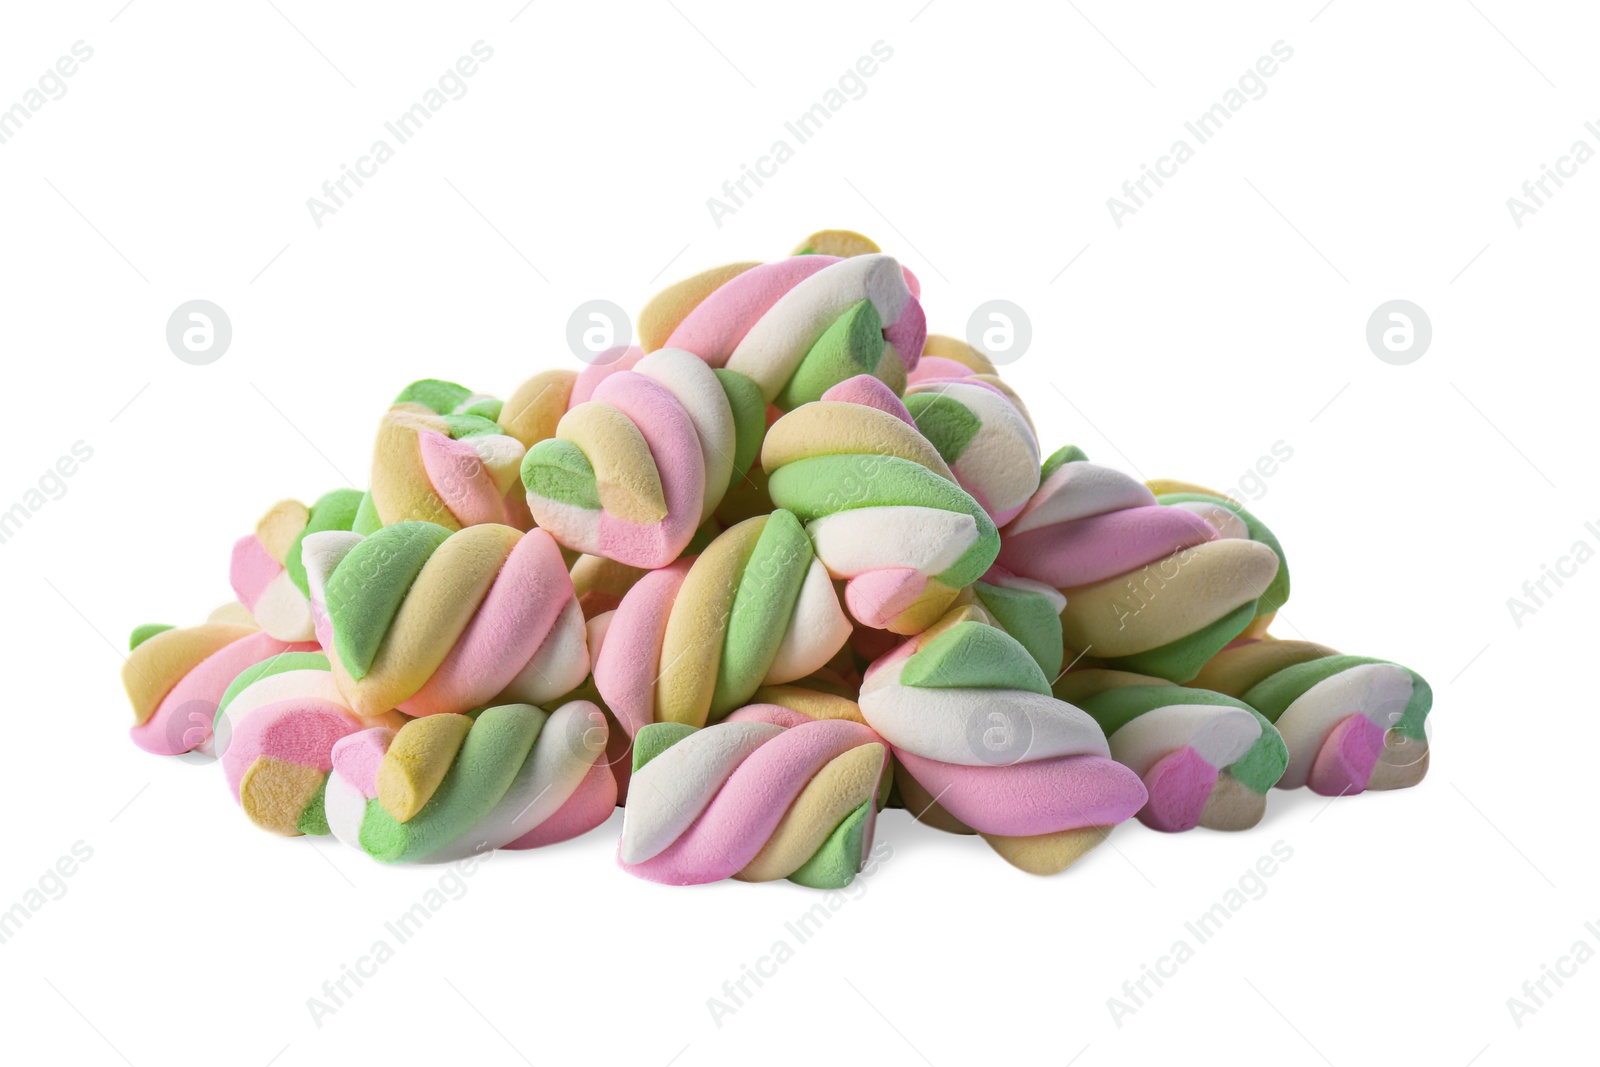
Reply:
x=1220, y=319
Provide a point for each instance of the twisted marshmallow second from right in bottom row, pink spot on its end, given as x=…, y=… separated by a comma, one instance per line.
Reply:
x=1206, y=759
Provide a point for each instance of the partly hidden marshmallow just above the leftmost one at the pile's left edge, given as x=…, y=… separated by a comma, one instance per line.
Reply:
x=266, y=570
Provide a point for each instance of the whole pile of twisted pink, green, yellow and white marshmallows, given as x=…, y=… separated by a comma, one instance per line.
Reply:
x=788, y=562
